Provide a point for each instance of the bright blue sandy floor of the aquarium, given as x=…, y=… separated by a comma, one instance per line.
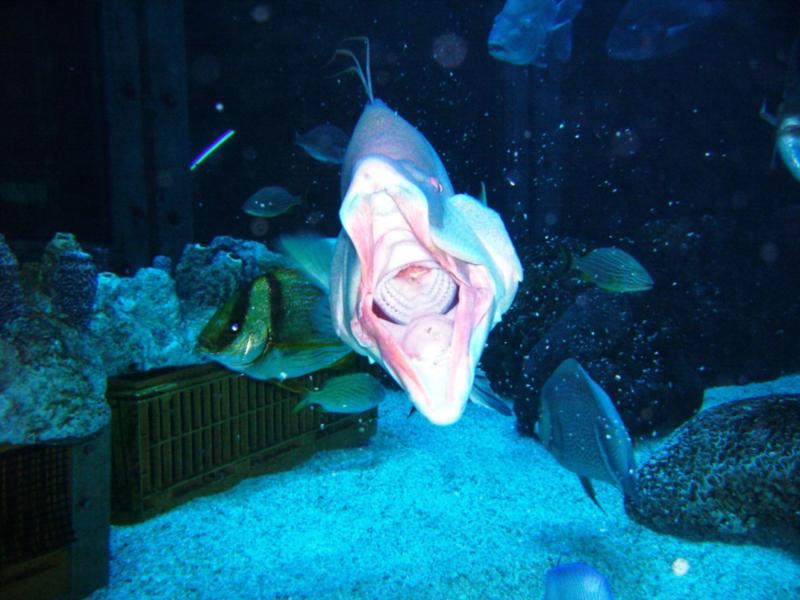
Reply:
x=467, y=511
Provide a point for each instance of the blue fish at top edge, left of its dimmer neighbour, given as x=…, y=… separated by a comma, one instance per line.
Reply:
x=532, y=31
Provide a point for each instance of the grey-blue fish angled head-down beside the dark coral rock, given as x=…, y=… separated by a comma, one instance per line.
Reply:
x=580, y=427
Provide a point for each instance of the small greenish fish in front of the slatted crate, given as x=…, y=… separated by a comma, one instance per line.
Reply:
x=352, y=393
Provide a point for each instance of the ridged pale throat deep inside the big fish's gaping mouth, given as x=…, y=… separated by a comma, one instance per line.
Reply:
x=415, y=290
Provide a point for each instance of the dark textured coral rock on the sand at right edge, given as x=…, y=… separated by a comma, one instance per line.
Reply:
x=732, y=473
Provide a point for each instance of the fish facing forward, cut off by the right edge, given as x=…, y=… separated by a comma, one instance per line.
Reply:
x=787, y=122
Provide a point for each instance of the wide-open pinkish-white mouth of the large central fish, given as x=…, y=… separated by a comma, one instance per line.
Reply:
x=417, y=306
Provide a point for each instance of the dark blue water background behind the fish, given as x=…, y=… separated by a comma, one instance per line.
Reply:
x=667, y=157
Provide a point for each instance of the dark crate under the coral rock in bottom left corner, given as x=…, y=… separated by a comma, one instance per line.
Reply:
x=54, y=519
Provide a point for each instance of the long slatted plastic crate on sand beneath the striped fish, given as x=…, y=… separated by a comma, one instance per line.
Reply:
x=180, y=433
